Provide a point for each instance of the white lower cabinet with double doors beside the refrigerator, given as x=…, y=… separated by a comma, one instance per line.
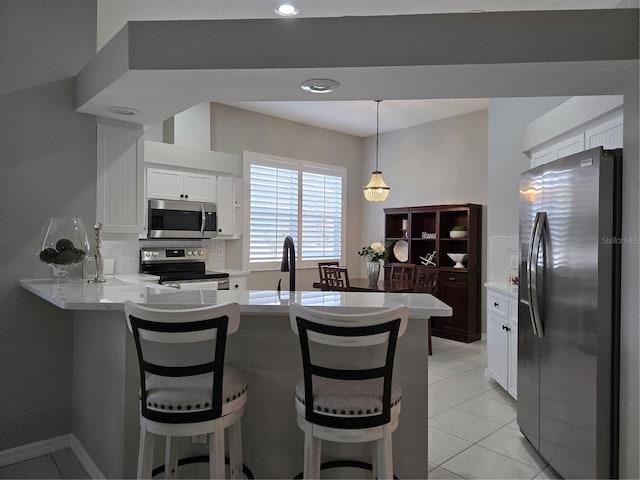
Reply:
x=502, y=338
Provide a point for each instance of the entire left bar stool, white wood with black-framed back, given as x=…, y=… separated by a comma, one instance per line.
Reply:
x=185, y=387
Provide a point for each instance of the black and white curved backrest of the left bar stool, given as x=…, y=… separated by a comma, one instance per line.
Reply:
x=182, y=343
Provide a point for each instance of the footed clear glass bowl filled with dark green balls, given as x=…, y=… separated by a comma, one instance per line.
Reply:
x=63, y=243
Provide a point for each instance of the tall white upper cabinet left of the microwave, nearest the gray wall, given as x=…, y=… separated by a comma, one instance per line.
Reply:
x=120, y=177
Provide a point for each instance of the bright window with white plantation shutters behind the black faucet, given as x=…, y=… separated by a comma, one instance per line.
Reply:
x=292, y=197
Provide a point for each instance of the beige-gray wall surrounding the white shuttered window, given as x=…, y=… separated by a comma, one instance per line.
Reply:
x=234, y=130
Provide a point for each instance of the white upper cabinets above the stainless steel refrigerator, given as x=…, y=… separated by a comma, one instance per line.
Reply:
x=579, y=124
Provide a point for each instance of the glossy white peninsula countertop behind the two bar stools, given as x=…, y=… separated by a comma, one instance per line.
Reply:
x=80, y=294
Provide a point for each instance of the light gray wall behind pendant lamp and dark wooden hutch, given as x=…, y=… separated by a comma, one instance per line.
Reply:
x=430, y=164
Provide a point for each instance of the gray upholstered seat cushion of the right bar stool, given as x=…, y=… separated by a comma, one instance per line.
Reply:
x=350, y=398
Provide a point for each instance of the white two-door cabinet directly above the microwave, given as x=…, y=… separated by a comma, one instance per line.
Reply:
x=180, y=185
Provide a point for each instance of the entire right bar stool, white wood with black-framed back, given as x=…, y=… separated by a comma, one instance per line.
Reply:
x=348, y=404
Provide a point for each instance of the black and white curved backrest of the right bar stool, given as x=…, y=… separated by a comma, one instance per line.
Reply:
x=348, y=330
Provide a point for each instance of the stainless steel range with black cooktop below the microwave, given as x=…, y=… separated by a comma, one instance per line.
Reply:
x=181, y=268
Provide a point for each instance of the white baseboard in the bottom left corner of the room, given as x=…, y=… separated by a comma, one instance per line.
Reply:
x=47, y=447
